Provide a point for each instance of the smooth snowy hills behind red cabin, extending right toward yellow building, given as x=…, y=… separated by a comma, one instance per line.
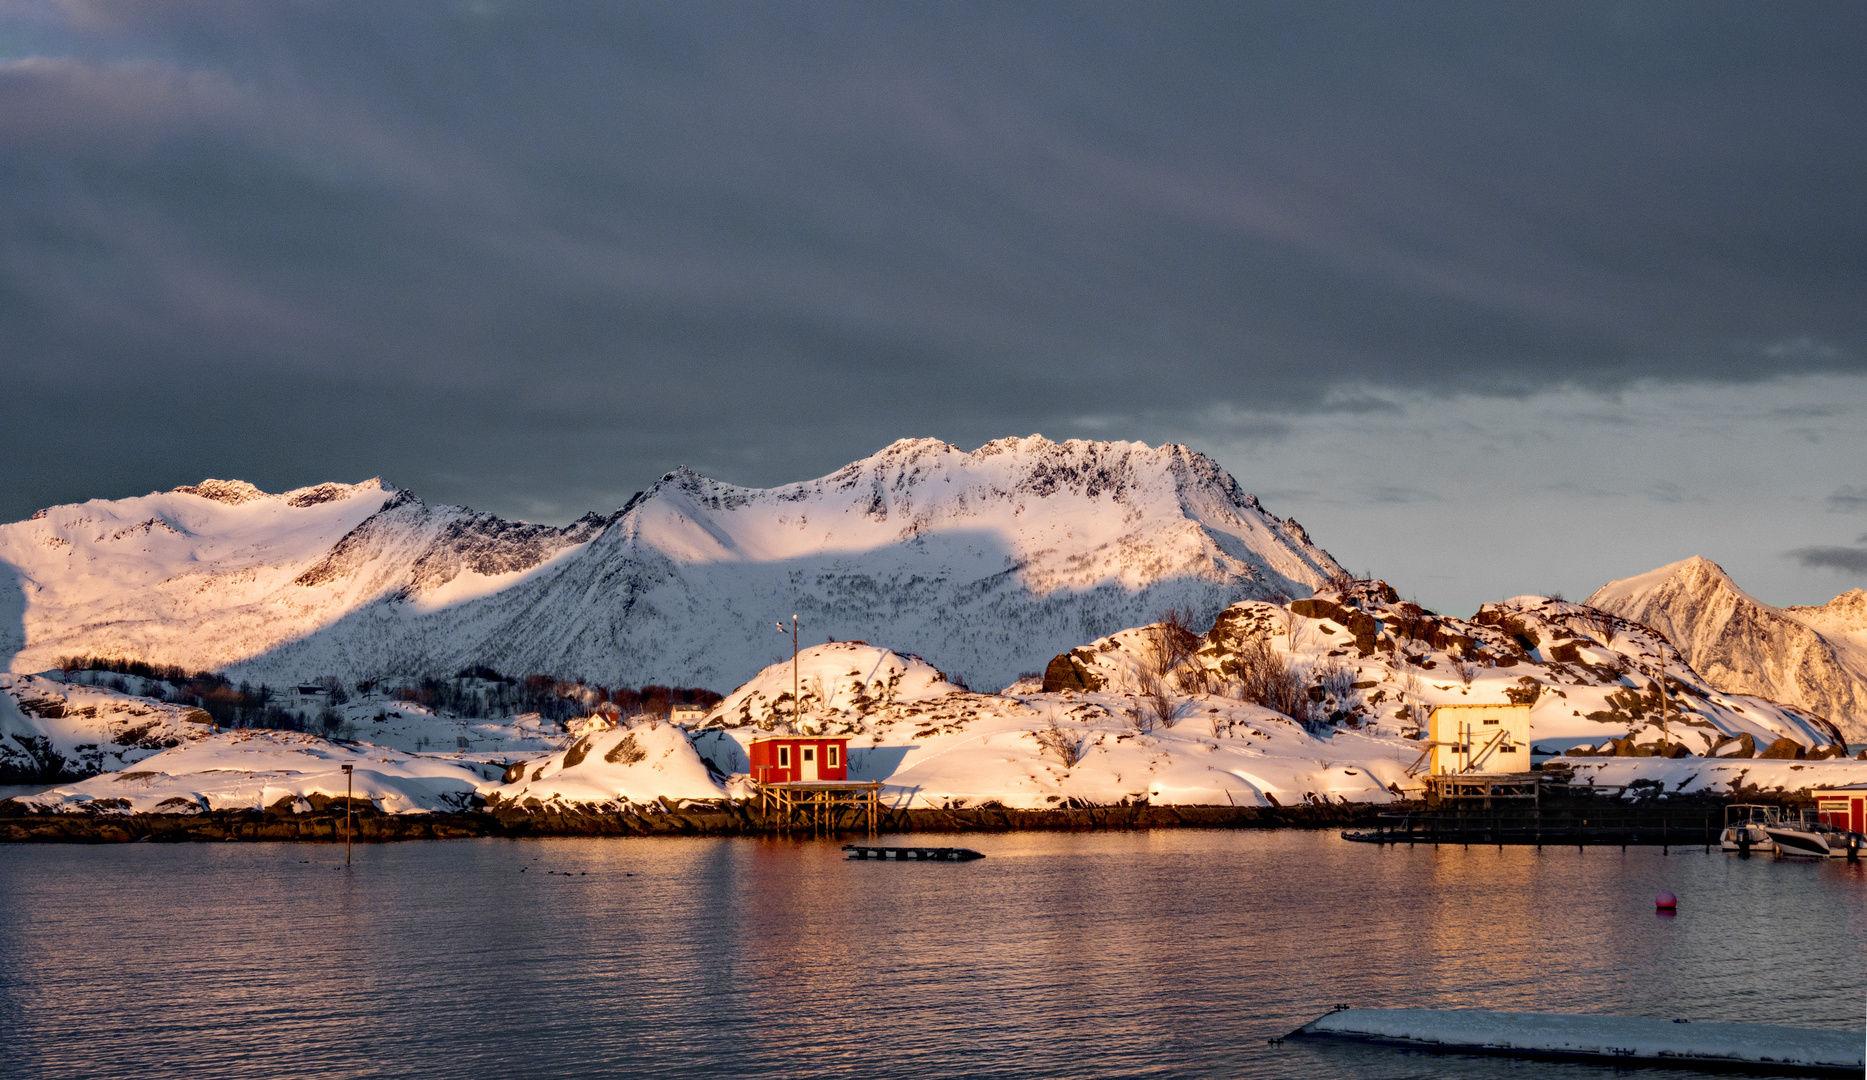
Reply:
x=936, y=745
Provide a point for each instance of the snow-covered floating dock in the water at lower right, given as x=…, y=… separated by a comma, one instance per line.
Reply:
x=1623, y=1040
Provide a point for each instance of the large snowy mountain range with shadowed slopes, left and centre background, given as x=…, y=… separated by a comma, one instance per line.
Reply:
x=987, y=561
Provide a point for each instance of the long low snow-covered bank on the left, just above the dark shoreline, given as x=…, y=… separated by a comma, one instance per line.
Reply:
x=260, y=769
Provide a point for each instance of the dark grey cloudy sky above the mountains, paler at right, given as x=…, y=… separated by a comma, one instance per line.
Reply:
x=1493, y=298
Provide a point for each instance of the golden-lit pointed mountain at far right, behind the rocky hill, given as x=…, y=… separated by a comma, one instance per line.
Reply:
x=1808, y=657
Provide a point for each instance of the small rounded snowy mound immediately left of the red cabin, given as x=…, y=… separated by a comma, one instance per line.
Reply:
x=639, y=763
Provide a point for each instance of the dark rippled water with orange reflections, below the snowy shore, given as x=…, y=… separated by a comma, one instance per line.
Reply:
x=1166, y=954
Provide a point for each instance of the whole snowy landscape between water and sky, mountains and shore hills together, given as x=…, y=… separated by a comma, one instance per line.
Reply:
x=1160, y=640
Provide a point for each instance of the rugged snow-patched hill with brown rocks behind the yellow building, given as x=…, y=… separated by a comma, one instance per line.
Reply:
x=1369, y=659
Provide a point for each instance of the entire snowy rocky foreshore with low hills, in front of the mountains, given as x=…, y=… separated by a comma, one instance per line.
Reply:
x=1306, y=703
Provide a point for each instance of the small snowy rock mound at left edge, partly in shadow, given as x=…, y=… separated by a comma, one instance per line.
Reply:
x=53, y=730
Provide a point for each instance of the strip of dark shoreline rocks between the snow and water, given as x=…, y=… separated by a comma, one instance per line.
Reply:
x=326, y=823
